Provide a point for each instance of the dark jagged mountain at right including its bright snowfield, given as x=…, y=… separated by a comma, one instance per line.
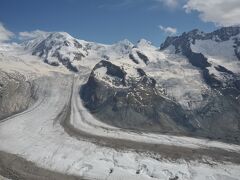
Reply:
x=216, y=53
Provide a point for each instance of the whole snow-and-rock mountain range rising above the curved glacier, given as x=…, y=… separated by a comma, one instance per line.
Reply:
x=190, y=85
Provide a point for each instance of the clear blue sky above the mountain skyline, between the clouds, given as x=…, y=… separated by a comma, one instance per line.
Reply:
x=105, y=21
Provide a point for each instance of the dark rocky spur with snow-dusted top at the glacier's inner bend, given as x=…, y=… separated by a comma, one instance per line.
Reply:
x=131, y=101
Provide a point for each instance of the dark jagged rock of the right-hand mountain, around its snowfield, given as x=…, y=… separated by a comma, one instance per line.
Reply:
x=183, y=43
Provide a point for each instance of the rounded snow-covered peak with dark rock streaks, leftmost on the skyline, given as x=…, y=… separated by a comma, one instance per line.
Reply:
x=56, y=48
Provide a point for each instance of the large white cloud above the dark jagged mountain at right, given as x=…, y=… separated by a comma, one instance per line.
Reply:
x=220, y=12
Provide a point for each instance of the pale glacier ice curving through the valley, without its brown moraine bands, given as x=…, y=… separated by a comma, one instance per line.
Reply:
x=38, y=137
